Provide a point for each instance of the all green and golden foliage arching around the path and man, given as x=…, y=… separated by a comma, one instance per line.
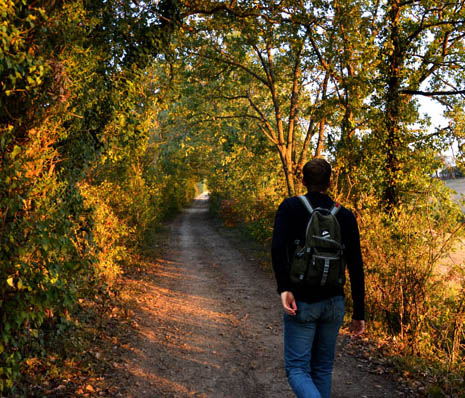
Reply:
x=105, y=130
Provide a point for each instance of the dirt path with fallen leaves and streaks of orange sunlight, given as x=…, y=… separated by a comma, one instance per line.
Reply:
x=209, y=325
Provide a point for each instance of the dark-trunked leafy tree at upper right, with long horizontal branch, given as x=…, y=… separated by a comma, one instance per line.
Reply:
x=422, y=54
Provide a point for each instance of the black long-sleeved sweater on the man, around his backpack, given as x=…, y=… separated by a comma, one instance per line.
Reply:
x=290, y=224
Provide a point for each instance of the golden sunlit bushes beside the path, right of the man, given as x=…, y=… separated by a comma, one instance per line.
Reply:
x=414, y=295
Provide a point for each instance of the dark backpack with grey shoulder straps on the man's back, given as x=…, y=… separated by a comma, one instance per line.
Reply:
x=318, y=261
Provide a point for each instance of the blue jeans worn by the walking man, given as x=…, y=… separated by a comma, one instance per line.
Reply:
x=309, y=345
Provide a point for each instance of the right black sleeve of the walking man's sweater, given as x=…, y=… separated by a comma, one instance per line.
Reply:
x=355, y=267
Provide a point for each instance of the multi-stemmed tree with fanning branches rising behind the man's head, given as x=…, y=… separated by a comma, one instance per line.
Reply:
x=267, y=49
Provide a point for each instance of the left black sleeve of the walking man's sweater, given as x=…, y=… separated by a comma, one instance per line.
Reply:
x=279, y=247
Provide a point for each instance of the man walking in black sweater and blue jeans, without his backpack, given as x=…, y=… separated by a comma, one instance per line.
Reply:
x=314, y=314
